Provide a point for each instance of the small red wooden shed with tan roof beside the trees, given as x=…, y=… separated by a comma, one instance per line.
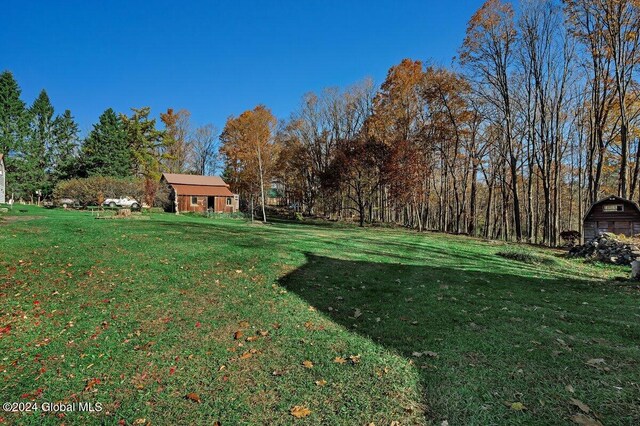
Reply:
x=196, y=193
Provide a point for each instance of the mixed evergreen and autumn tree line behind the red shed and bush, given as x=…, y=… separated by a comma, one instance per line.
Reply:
x=43, y=149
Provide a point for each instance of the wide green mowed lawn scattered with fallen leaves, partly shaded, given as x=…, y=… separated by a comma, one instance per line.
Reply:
x=186, y=320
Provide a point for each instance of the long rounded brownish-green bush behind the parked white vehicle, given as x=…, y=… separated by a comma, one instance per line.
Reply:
x=95, y=189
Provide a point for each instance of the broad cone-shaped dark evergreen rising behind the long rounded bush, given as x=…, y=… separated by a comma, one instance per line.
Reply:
x=106, y=151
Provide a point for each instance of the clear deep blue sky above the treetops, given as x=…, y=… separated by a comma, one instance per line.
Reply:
x=215, y=58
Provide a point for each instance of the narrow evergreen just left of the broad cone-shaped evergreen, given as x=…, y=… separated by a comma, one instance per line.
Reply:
x=63, y=150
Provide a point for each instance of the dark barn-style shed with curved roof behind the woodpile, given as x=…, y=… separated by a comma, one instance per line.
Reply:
x=612, y=214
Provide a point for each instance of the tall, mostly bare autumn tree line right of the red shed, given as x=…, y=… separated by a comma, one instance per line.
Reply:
x=537, y=118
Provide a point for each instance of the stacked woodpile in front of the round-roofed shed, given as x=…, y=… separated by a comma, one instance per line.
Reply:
x=609, y=248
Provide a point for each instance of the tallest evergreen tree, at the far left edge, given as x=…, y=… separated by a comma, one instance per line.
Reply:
x=14, y=127
